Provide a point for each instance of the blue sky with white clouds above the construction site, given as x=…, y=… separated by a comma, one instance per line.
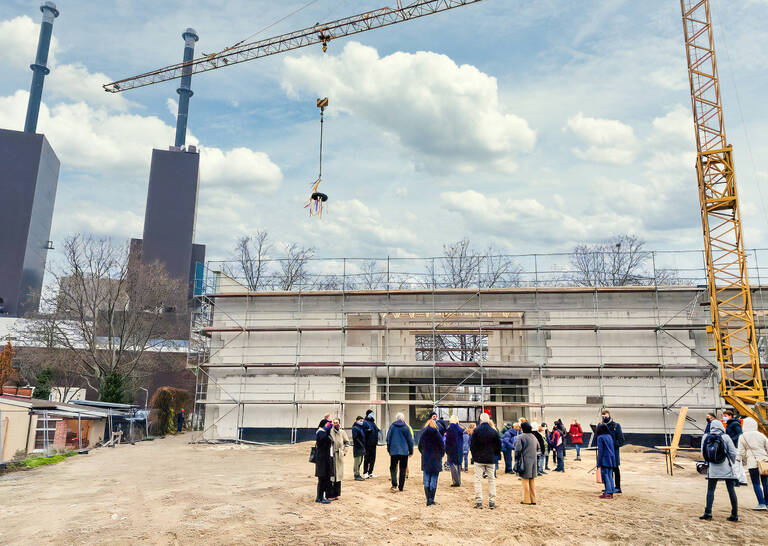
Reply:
x=529, y=126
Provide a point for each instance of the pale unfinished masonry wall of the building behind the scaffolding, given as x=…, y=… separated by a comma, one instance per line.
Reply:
x=582, y=350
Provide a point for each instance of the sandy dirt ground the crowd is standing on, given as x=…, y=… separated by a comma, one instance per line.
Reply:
x=172, y=492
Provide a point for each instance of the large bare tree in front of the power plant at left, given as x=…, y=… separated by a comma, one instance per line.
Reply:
x=109, y=314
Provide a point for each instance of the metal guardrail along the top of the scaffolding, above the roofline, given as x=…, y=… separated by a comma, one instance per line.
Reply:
x=596, y=269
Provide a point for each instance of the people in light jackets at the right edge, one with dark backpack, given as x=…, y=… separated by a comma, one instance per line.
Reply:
x=730, y=447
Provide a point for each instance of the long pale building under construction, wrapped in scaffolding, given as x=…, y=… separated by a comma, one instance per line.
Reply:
x=272, y=363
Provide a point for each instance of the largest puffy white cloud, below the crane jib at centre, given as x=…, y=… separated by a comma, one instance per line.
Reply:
x=448, y=116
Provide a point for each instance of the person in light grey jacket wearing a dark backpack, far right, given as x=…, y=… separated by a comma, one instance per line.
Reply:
x=718, y=450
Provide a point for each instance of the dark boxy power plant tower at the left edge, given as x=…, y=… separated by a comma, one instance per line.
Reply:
x=29, y=174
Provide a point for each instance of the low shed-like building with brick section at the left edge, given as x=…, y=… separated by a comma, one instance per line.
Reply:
x=28, y=425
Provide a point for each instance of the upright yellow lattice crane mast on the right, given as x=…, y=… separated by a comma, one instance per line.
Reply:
x=730, y=299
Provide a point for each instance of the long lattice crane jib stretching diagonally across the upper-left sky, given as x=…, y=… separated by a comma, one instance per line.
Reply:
x=316, y=34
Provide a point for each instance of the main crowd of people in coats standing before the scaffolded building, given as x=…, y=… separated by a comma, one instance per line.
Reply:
x=449, y=445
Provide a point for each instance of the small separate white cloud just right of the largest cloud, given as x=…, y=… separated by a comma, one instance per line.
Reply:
x=607, y=140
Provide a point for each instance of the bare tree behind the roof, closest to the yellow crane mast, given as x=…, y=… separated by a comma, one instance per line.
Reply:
x=619, y=261
